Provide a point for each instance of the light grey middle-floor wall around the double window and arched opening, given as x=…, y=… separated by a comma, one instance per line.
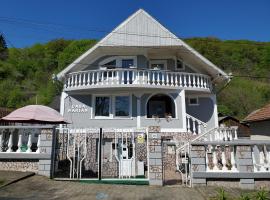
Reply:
x=84, y=120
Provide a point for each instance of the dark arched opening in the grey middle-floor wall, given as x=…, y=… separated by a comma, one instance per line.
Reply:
x=161, y=106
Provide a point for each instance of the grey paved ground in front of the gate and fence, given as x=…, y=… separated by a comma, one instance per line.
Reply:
x=38, y=187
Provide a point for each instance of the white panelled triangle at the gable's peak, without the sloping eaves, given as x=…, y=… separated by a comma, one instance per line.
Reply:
x=140, y=29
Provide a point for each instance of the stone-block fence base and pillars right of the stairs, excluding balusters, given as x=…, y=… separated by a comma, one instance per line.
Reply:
x=245, y=177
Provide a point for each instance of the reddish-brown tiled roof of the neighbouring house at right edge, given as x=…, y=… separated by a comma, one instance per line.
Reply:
x=259, y=115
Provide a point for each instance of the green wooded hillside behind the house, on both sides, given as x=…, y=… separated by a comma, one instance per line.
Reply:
x=26, y=73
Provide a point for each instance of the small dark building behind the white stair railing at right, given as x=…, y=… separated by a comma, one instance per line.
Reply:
x=229, y=121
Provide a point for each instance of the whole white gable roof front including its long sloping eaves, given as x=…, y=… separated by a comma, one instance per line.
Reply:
x=141, y=29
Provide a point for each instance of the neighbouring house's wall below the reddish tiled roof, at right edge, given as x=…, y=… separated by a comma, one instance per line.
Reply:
x=260, y=130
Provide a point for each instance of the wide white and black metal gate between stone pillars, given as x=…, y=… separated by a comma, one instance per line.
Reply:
x=101, y=154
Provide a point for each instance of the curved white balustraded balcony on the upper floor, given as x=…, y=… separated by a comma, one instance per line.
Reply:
x=119, y=78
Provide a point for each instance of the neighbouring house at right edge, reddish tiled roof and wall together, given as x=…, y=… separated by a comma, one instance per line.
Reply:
x=259, y=122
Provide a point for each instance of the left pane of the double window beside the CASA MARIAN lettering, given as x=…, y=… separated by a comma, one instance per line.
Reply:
x=102, y=106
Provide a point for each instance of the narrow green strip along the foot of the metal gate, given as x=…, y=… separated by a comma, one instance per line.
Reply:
x=120, y=182
